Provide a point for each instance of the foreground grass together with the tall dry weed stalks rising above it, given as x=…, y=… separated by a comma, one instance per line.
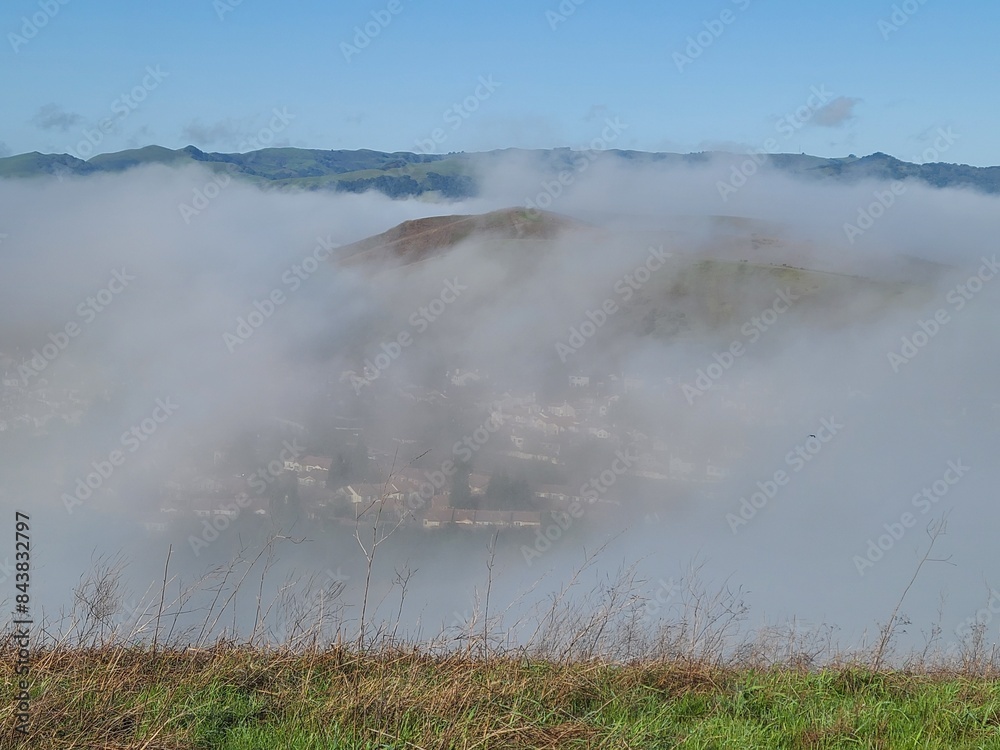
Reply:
x=585, y=669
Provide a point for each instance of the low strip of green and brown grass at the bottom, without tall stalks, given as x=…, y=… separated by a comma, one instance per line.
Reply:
x=238, y=698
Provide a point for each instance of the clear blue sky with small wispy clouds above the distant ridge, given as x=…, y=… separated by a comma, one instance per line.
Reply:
x=223, y=68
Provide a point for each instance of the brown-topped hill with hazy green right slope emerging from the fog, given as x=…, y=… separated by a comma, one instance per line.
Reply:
x=719, y=271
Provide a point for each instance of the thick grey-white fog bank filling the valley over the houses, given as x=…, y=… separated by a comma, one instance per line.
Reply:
x=799, y=431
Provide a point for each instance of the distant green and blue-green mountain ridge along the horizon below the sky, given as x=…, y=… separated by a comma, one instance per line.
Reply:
x=455, y=176
